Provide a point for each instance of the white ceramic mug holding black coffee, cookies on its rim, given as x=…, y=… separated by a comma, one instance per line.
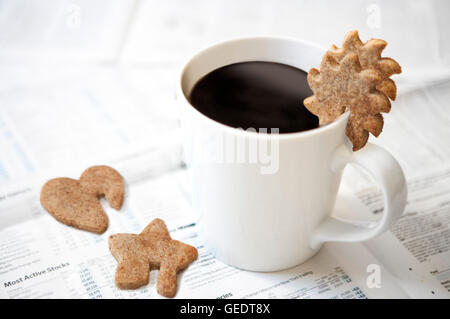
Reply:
x=272, y=220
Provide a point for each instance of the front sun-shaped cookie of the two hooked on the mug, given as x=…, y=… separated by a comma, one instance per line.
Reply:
x=338, y=86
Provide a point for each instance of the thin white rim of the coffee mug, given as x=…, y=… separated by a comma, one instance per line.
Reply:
x=244, y=133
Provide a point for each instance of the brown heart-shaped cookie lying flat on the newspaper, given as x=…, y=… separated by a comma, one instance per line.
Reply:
x=76, y=202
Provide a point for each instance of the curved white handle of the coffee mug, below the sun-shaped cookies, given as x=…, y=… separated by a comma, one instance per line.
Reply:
x=386, y=171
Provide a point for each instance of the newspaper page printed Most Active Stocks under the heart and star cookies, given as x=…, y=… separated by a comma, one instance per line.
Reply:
x=42, y=258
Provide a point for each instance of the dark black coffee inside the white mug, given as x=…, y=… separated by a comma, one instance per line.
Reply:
x=256, y=95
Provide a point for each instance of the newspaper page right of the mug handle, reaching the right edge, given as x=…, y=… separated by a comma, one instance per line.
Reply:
x=416, y=133
